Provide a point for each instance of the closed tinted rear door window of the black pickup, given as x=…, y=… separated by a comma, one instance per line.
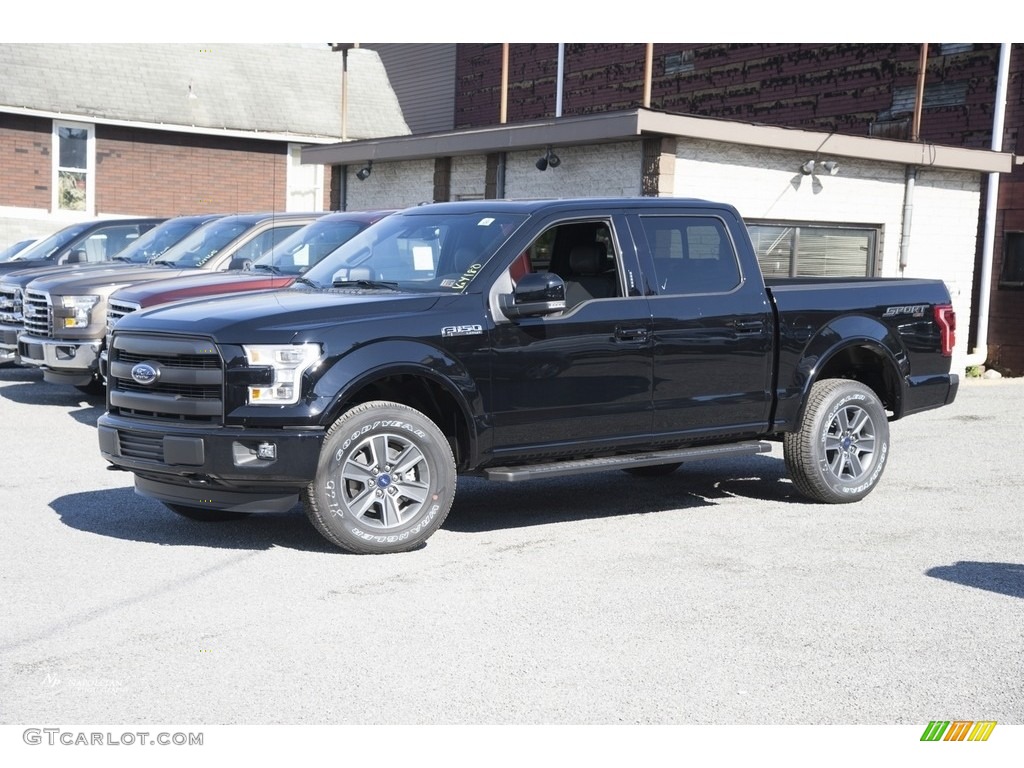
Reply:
x=692, y=254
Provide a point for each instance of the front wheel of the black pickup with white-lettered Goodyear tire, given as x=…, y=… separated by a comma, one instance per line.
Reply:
x=386, y=481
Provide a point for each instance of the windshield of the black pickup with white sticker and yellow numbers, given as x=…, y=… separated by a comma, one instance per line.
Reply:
x=418, y=251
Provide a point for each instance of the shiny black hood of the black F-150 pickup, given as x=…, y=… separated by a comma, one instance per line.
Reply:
x=276, y=317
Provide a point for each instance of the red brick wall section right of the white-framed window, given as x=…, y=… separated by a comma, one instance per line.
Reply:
x=154, y=173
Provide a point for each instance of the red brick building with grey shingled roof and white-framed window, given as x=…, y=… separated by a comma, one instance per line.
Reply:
x=97, y=131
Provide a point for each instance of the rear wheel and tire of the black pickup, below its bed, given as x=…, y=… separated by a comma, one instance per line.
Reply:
x=841, y=451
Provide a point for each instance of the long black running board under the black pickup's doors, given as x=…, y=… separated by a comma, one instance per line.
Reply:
x=580, y=466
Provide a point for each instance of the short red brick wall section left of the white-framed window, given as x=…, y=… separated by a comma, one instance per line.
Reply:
x=25, y=161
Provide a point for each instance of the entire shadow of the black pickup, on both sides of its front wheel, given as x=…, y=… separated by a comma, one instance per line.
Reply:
x=480, y=506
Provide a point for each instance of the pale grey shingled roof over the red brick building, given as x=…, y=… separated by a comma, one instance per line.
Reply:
x=288, y=91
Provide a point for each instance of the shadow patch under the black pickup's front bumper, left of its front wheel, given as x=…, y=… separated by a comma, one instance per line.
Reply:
x=121, y=514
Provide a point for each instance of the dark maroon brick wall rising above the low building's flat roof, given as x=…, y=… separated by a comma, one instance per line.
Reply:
x=834, y=88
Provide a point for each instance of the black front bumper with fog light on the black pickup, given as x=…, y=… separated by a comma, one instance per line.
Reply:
x=214, y=467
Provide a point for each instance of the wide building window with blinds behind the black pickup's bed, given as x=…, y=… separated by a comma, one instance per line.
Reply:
x=814, y=250
